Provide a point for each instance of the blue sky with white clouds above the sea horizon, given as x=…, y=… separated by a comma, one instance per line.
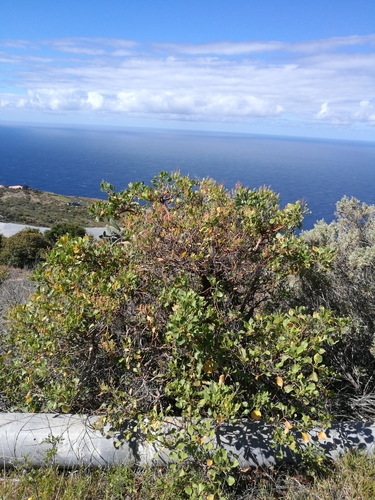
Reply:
x=276, y=67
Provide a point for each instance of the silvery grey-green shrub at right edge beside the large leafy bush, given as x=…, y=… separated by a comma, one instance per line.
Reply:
x=348, y=288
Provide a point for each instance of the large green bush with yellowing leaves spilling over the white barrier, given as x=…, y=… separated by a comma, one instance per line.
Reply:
x=182, y=312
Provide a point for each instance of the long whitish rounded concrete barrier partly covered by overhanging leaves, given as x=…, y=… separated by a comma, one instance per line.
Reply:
x=71, y=441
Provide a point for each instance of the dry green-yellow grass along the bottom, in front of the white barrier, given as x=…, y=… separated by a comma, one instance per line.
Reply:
x=352, y=478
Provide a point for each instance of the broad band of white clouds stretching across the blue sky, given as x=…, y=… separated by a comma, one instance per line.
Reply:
x=329, y=81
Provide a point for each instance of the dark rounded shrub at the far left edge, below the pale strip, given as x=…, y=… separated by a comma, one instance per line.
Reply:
x=24, y=249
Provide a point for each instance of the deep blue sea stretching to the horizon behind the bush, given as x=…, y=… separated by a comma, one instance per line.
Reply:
x=74, y=161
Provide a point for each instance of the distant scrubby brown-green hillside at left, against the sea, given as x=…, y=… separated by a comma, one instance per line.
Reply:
x=41, y=208
